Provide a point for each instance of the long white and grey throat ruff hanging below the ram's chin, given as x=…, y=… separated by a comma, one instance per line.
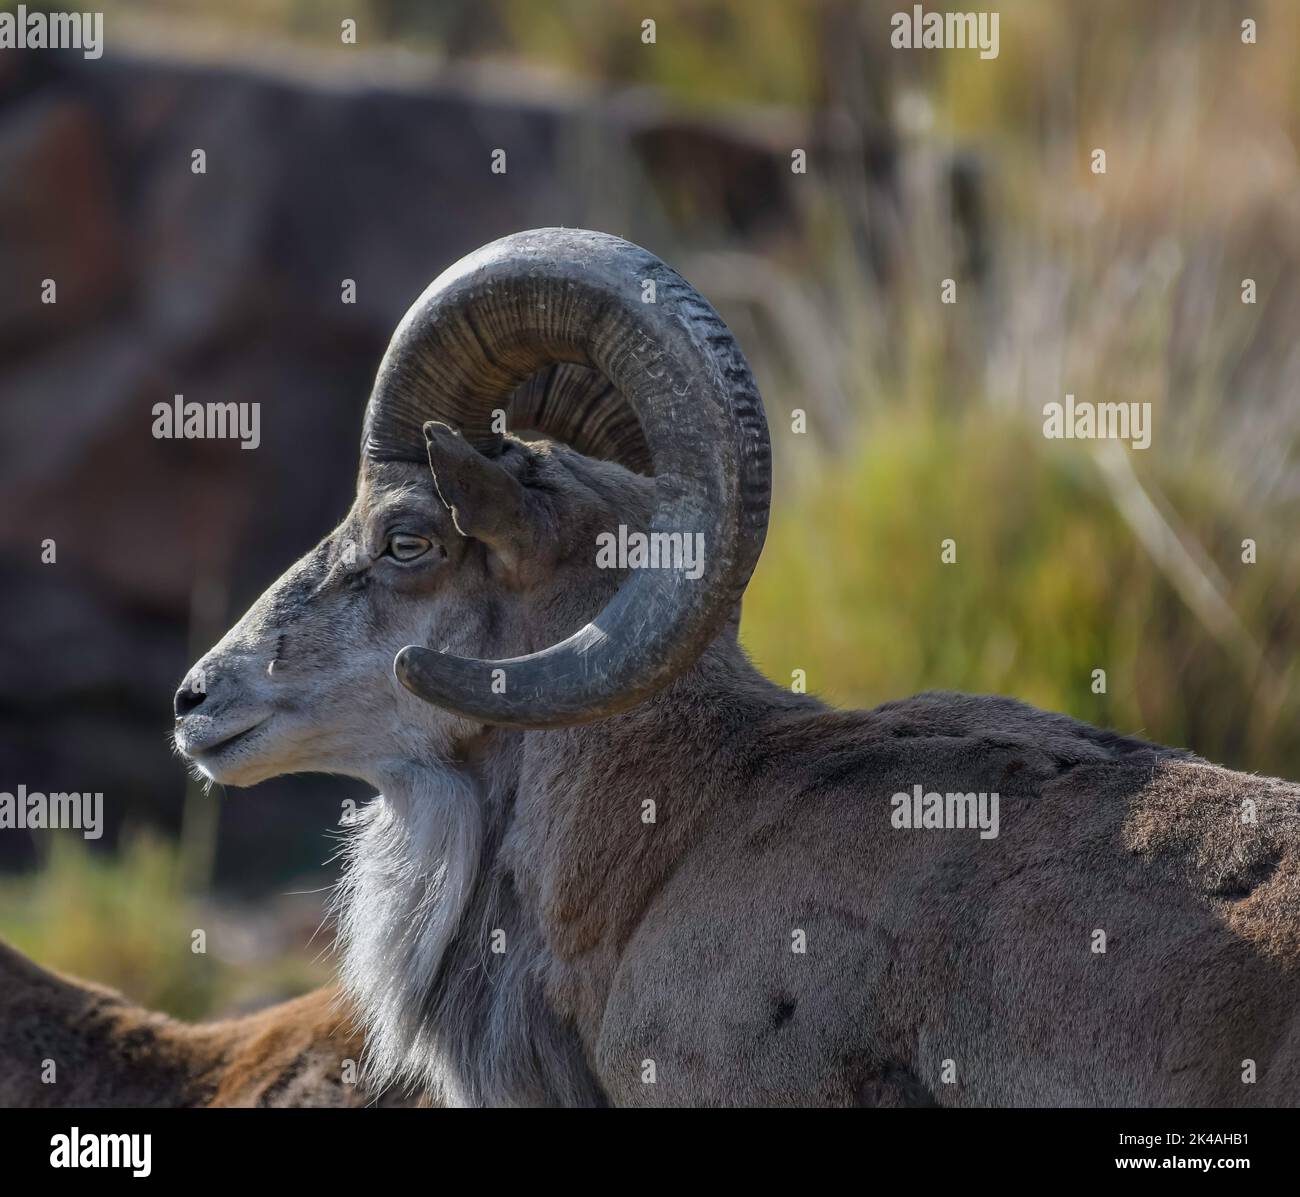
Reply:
x=440, y=955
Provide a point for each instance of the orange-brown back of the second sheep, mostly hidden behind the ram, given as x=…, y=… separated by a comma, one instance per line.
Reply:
x=66, y=1044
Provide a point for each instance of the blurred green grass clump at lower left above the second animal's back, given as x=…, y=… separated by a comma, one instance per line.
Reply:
x=127, y=921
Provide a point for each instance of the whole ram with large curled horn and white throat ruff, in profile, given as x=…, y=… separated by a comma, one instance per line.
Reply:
x=612, y=864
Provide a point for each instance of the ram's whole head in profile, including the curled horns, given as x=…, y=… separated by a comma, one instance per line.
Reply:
x=483, y=587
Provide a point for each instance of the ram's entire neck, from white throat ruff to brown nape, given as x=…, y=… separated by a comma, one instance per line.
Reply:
x=486, y=904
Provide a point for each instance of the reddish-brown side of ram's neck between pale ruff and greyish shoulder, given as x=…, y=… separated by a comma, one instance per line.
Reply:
x=608, y=812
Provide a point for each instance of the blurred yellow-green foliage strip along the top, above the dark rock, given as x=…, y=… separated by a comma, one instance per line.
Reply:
x=1060, y=62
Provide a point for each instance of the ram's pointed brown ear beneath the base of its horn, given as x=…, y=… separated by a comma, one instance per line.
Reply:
x=486, y=501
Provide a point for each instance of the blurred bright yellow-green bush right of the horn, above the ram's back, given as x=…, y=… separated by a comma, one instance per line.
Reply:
x=1048, y=586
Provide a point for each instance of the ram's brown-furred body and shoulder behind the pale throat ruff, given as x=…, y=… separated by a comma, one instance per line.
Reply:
x=922, y=947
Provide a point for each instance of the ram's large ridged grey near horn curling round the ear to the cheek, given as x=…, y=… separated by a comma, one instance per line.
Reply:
x=552, y=296
